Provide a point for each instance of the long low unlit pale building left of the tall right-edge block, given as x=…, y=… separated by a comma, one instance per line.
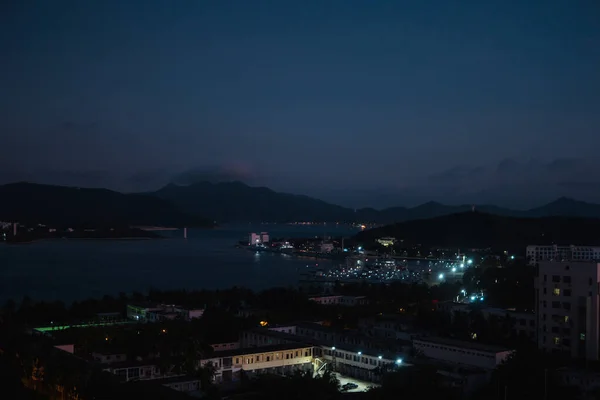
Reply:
x=471, y=354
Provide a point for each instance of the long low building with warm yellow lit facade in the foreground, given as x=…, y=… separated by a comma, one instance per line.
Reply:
x=281, y=359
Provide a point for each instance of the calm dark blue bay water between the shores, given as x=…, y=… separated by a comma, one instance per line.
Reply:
x=71, y=270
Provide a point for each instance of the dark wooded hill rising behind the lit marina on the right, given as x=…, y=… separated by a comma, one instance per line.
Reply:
x=482, y=230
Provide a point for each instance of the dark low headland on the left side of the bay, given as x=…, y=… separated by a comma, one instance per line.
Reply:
x=77, y=207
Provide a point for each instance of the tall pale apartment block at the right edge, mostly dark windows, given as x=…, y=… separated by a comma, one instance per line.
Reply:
x=567, y=304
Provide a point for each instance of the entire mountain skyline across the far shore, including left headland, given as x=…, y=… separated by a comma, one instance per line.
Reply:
x=201, y=203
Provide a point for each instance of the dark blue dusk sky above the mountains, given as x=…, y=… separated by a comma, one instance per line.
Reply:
x=357, y=102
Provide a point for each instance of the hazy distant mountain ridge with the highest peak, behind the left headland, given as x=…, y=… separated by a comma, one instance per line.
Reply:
x=236, y=201
